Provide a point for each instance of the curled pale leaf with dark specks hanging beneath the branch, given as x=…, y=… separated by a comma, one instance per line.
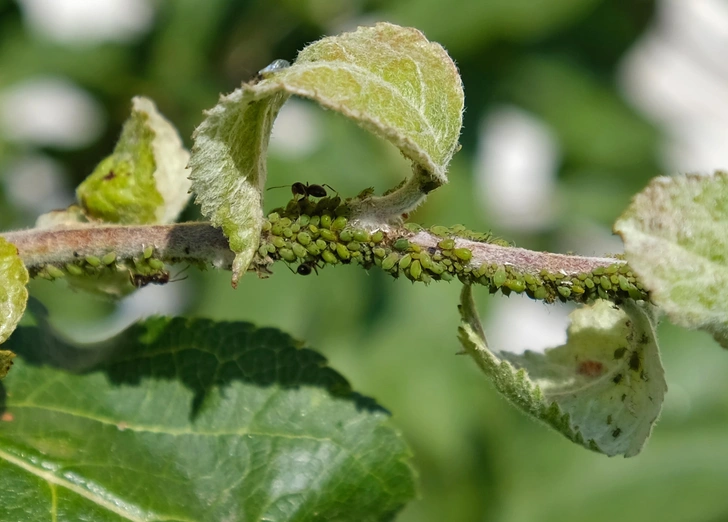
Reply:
x=603, y=389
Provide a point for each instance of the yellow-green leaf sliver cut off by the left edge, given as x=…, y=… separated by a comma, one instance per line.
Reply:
x=13, y=293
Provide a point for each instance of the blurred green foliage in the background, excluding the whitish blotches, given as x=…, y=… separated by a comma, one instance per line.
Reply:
x=478, y=458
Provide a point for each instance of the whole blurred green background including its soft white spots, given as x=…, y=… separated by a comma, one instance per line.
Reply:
x=549, y=70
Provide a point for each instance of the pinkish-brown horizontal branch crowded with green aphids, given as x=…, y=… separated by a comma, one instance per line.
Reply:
x=409, y=250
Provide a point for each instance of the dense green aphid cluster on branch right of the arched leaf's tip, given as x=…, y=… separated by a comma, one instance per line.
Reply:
x=309, y=235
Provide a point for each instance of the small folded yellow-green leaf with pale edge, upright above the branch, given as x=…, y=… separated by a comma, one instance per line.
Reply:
x=144, y=180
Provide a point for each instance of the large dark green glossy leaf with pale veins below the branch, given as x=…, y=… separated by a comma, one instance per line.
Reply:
x=185, y=420
